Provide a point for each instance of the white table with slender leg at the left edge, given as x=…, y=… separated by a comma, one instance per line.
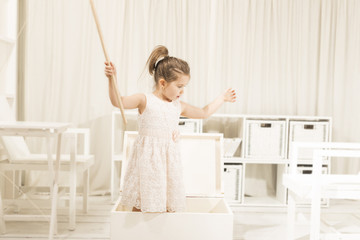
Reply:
x=49, y=130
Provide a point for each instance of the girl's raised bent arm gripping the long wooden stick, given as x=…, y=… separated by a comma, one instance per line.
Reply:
x=129, y=102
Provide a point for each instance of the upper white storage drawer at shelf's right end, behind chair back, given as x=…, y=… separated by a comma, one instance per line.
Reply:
x=303, y=131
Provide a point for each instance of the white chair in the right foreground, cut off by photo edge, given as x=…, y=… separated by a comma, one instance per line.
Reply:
x=317, y=185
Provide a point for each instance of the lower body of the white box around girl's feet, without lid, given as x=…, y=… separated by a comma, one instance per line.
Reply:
x=212, y=222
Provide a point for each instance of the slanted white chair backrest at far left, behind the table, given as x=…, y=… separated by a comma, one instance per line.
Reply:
x=13, y=147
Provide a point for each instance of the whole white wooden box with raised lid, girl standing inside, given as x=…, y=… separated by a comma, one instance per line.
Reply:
x=208, y=215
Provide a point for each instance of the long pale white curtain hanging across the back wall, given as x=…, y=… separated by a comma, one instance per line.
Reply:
x=288, y=57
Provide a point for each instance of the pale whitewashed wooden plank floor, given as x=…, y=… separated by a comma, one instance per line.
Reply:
x=250, y=223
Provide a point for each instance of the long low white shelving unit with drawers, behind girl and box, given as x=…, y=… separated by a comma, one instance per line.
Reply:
x=253, y=170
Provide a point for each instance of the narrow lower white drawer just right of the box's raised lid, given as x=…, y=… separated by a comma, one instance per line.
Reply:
x=233, y=182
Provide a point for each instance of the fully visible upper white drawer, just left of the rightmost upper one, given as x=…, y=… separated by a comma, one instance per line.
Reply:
x=265, y=139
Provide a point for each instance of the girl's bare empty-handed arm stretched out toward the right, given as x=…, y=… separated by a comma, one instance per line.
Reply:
x=194, y=112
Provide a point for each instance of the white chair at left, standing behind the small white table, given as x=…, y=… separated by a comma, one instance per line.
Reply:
x=20, y=158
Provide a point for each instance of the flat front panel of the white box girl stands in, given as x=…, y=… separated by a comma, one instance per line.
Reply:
x=132, y=226
